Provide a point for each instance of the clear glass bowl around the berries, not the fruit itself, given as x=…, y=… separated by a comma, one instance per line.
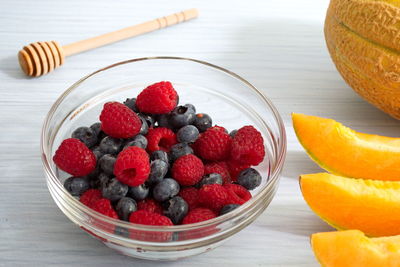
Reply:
x=229, y=99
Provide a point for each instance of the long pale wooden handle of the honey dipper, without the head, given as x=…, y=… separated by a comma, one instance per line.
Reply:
x=129, y=32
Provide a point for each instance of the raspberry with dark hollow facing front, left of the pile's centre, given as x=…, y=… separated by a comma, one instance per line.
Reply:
x=132, y=166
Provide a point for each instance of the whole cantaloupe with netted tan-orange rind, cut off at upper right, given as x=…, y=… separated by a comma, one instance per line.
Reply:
x=363, y=39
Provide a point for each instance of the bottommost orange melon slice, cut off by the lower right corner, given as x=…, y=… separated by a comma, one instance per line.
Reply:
x=353, y=248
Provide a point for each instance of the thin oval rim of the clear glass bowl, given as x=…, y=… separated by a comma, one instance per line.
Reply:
x=275, y=172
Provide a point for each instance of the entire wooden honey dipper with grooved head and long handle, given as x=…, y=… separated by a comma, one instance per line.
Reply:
x=39, y=58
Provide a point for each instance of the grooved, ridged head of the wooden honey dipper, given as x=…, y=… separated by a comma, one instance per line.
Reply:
x=39, y=58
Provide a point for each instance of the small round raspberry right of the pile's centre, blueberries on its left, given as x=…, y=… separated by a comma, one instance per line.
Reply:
x=188, y=170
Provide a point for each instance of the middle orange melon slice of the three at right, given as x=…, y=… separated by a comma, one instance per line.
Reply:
x=347, y=203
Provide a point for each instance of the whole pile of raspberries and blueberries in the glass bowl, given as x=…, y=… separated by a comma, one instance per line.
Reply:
x=150, y=161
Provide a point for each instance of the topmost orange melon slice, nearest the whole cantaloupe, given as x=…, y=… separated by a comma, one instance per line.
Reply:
x=343, y=151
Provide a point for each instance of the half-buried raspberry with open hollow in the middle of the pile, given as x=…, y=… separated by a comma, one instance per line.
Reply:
x=160, y=139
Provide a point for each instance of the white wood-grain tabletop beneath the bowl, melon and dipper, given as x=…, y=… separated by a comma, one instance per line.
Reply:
x=277, y=45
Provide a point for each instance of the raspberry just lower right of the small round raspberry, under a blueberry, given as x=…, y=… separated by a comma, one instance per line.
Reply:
x=213, y=196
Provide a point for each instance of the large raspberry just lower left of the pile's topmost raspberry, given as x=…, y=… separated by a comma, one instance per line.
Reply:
x=119, y=121
